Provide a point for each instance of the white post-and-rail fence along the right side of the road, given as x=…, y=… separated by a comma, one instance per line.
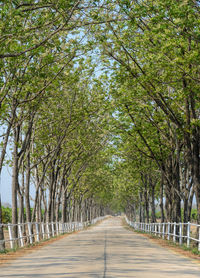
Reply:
x=181, y=232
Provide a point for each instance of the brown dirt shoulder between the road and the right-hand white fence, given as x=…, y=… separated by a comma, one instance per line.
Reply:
x=166, y=244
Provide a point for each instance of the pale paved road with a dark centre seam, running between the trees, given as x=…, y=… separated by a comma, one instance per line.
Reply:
x=104, y=251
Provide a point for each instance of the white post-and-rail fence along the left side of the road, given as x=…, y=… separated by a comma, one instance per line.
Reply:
x=28, y=233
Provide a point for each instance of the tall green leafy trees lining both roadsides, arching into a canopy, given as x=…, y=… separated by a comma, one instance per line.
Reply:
x=100, y=106
